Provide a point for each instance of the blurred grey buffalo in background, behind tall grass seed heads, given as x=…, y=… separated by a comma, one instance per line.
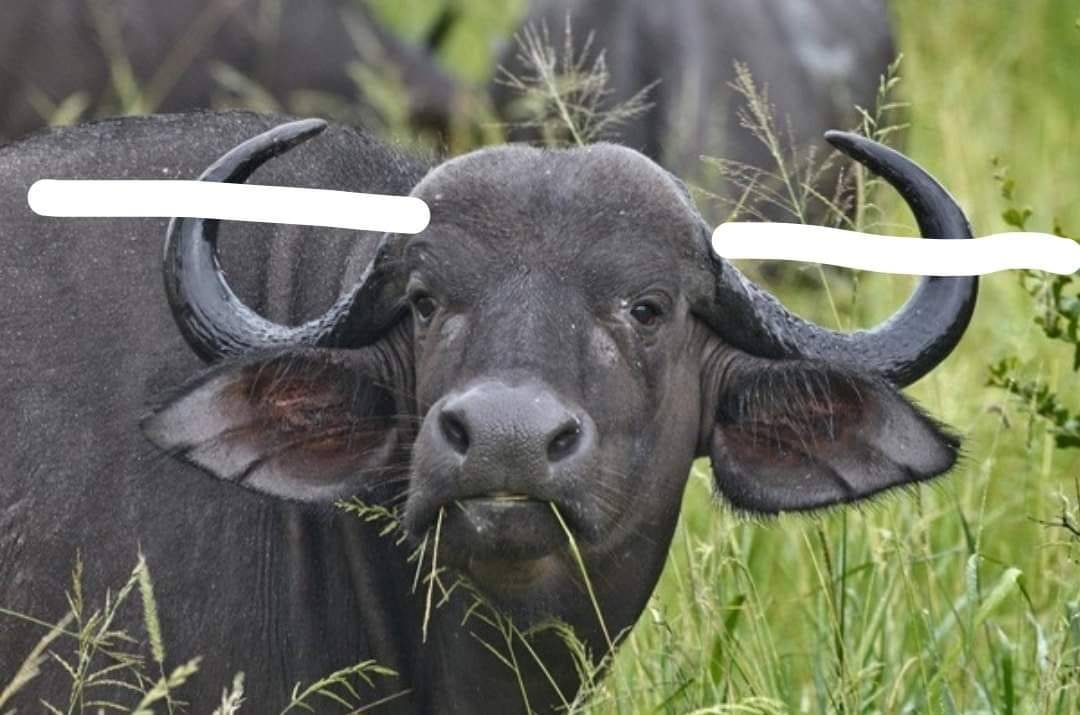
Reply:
x=812, y=64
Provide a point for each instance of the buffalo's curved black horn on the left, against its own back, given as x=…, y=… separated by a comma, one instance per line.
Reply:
x=210, y=316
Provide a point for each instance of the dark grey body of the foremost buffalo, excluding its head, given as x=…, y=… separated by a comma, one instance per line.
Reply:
x=272, y=589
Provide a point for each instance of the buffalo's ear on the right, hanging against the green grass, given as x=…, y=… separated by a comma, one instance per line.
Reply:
x=793, y=436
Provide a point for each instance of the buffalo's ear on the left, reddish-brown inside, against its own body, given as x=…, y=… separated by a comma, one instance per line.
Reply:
x=308, y=425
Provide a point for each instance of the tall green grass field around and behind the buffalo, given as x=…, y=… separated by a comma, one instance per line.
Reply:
x=955, y=598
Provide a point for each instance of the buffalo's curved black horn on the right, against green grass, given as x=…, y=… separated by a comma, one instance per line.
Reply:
x=902, y=349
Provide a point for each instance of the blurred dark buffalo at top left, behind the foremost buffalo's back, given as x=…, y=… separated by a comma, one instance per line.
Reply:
x=53, y=50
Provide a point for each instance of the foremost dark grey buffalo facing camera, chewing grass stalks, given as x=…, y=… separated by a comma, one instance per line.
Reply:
x=560, y=341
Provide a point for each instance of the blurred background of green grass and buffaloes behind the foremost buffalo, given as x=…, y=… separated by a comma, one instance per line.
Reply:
x=958, y=598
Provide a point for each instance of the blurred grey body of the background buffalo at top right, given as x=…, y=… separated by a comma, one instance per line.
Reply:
x=818, y=59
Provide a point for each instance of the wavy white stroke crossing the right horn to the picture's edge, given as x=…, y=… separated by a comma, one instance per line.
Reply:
x=896, y=255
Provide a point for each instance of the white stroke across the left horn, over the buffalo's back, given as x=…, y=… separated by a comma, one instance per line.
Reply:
x=237, y=203
